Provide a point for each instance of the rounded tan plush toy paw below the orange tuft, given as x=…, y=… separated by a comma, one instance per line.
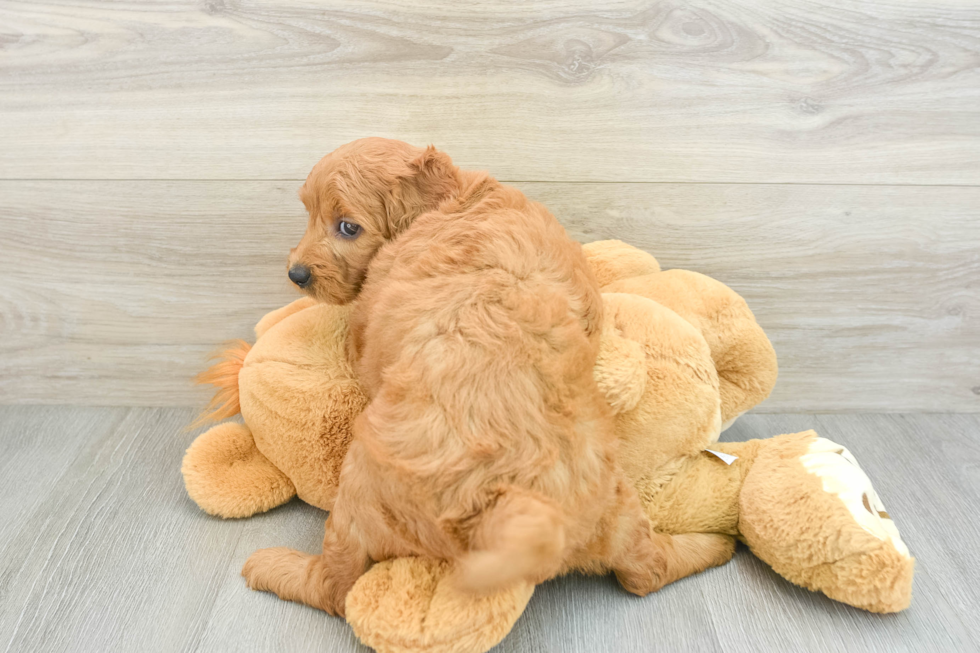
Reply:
x=227, y=476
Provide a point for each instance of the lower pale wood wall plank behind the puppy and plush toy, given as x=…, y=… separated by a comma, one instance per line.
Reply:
x=113, y=293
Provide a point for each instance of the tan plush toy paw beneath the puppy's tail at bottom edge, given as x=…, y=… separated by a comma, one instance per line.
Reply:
x=411, y=605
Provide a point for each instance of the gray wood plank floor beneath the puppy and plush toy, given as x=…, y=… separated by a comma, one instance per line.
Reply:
x=101, y=550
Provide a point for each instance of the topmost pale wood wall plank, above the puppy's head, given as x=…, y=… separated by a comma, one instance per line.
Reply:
x=628, y=90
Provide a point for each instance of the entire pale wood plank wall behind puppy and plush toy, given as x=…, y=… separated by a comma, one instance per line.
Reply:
x=821, y=158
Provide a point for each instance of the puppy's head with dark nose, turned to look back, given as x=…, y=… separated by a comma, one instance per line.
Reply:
x=359, y=197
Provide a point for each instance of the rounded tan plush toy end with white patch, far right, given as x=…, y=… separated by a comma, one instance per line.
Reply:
x=808, y=510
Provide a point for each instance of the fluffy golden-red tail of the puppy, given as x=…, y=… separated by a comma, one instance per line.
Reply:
x=521, y=538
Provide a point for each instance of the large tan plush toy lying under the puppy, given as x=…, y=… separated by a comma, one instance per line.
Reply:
x=681, y=357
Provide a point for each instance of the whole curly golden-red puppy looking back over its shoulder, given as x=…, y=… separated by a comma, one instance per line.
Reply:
x=474, y=334
